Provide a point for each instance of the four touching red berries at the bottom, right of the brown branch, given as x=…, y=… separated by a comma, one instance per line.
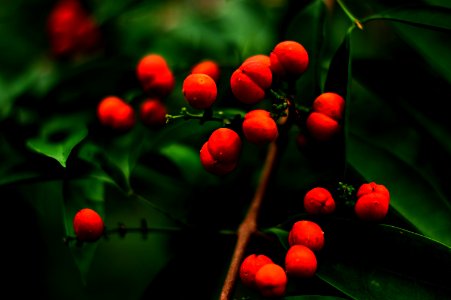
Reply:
x=260, y=272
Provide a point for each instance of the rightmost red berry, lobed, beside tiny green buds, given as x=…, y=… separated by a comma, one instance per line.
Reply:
x=373, y=201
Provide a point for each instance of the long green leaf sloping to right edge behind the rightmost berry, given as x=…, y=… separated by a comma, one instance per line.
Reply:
x=411, y=194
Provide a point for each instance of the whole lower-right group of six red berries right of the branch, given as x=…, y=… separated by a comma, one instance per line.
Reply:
x=306, y=239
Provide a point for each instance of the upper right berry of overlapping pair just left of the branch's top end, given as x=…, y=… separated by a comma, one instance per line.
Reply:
x=224, y=144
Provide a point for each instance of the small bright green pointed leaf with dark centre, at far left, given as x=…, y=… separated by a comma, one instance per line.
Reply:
x=58, y=137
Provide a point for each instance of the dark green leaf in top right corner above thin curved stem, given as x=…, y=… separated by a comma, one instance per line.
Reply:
x=427, y=16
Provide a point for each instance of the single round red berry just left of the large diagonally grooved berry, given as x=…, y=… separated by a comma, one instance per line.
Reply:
x=199, y=90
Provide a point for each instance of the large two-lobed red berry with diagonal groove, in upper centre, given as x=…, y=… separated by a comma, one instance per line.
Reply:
x=250, y=81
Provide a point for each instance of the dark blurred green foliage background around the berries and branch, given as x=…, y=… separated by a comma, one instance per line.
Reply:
x=56, y=159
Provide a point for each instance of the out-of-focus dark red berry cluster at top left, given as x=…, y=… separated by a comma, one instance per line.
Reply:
x=72, y=31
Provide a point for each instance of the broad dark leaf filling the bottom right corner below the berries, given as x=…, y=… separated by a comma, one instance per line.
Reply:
x=371, y=261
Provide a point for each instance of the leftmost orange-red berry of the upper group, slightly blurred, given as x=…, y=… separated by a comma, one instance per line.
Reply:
x=115, y=113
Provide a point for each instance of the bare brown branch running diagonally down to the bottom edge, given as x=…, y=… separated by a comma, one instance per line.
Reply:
x=248, y=227
